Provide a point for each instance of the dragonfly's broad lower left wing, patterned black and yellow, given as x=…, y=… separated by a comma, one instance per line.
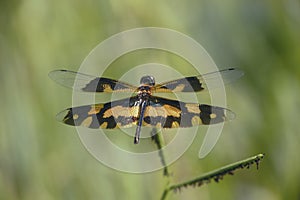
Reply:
x=116, y=114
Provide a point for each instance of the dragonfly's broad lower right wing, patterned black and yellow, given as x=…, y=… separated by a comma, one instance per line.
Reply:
x=169, y=113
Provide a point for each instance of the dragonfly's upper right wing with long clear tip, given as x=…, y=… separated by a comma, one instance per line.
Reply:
x=201, y=82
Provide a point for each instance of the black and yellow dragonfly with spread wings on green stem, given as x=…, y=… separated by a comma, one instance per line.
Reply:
x=143, y=108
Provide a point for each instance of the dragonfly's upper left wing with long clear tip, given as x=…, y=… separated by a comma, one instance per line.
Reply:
x=88, y=83
